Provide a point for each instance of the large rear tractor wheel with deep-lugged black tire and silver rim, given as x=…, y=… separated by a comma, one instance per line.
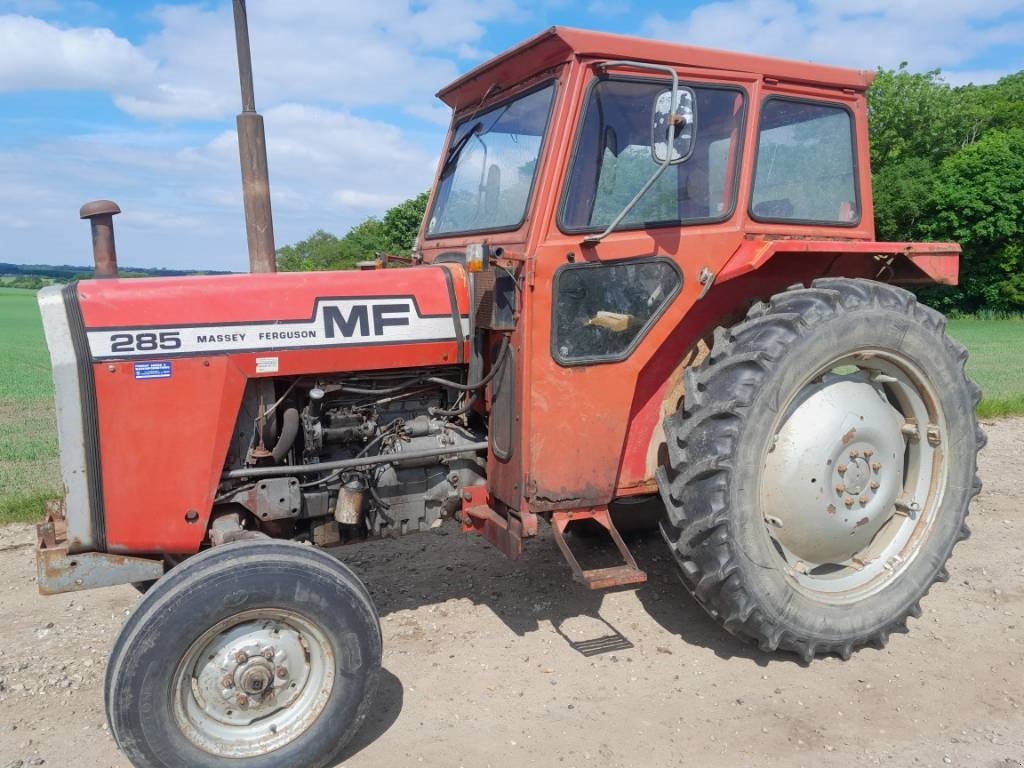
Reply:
x=821, y=467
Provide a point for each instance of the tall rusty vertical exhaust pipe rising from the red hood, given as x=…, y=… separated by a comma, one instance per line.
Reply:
x=252, y=152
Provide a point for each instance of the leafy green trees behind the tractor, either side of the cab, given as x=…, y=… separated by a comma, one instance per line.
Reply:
x=948, y=165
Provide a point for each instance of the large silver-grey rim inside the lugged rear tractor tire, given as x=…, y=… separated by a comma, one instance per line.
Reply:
x=854, y=478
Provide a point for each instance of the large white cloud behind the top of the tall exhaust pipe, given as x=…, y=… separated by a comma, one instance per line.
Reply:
x=383, y=53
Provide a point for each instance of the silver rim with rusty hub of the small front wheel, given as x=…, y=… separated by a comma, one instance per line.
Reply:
x=253, y=684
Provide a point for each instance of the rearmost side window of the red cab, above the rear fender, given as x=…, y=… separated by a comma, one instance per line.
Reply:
x=805, y=168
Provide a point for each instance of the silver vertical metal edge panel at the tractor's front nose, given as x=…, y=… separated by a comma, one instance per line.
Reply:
x=69, y=410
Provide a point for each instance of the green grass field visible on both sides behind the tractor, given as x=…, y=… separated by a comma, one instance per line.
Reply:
x=29, y=474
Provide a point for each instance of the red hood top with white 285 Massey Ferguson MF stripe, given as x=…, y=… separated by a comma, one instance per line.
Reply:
x=257, y=314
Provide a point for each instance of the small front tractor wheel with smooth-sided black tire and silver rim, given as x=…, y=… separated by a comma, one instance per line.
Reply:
x=250, y=656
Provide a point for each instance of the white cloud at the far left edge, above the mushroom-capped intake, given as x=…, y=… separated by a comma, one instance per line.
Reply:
x=35, y=55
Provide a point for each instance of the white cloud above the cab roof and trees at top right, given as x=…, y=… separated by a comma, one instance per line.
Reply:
x=866, y=34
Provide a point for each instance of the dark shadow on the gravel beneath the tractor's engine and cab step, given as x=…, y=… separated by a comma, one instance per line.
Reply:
x=537, y=588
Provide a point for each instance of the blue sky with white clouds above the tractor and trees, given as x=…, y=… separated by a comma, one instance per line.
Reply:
x=136, y=102
